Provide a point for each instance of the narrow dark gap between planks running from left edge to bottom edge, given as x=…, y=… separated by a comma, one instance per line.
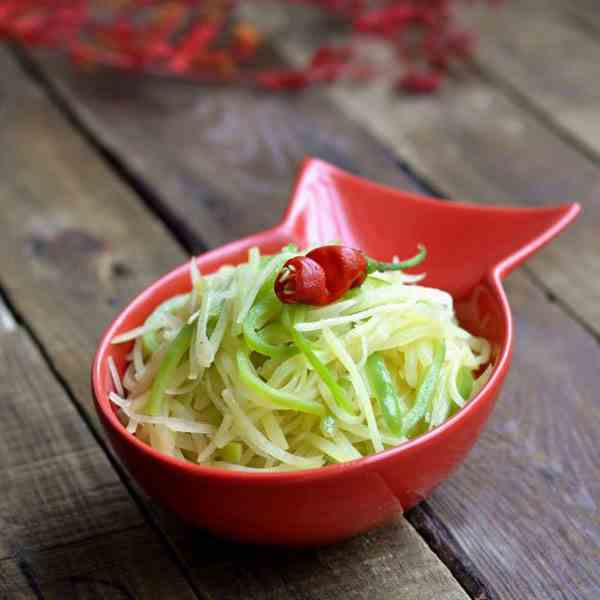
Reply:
x=121, y=473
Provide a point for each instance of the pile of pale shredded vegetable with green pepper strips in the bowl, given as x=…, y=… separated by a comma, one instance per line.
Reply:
x=228, y=376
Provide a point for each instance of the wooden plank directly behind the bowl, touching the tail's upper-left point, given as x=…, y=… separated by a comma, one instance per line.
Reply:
x=230, y=142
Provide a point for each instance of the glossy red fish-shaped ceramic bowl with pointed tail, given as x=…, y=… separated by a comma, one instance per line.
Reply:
x=470, y=248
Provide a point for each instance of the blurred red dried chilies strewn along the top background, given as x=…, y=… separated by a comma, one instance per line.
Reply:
x=177, y=36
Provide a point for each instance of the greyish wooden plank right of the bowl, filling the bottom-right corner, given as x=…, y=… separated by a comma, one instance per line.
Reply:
x=527, y=502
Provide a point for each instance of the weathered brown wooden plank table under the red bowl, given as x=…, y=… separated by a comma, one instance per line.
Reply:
x=106, y=182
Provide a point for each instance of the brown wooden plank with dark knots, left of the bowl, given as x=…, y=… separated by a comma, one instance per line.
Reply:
x=72, y=247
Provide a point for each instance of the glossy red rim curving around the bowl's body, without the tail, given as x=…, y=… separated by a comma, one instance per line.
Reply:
x=331, y=471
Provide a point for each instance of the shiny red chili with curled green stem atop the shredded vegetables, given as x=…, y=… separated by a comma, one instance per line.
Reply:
x=326, y=273
